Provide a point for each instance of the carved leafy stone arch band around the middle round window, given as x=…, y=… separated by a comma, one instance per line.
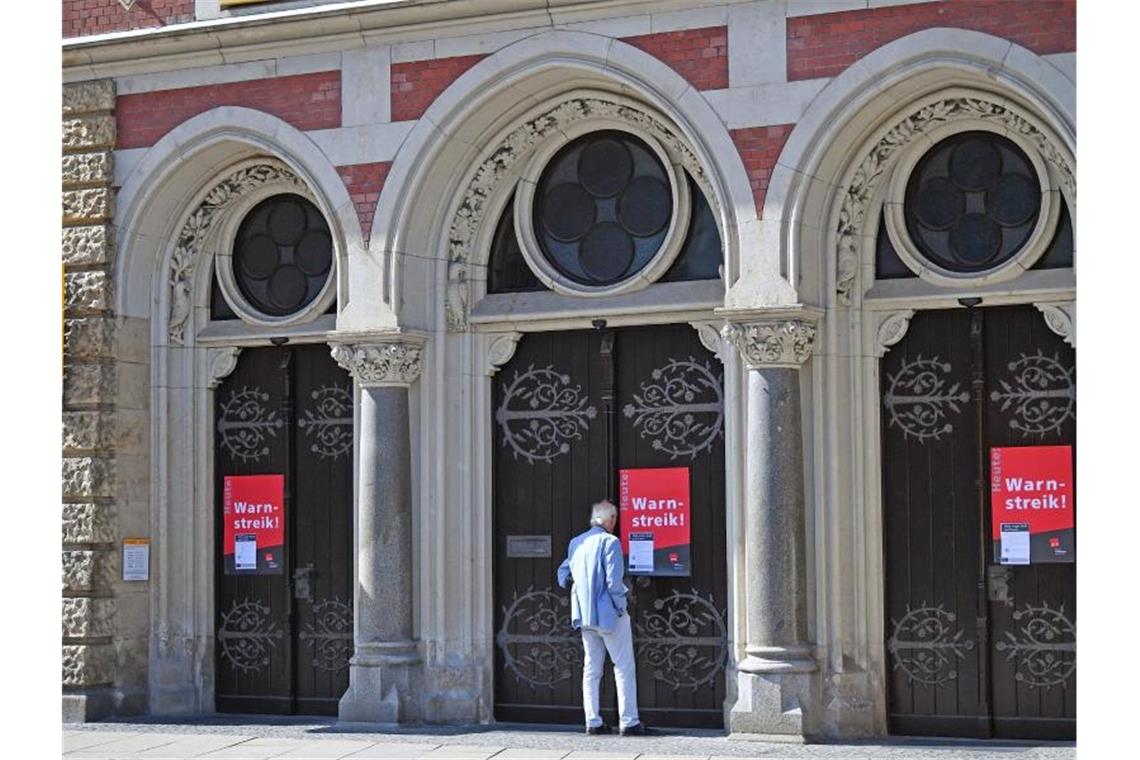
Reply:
x=475, y=217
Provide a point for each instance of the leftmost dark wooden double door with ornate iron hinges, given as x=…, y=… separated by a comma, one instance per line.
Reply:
x=286, y=633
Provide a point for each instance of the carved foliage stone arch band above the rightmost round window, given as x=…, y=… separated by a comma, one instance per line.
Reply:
x=875, y=164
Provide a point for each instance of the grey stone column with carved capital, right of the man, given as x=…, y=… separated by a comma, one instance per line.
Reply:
x=775, y=681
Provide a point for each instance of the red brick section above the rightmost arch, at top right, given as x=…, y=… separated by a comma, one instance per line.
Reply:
x=826, y=45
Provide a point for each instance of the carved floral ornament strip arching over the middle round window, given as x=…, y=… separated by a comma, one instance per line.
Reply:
x=470, y=215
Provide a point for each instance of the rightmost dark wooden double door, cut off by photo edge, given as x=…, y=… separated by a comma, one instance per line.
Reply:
x=975, y=648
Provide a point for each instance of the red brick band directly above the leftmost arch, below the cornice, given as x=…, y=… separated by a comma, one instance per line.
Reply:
x=307, y=102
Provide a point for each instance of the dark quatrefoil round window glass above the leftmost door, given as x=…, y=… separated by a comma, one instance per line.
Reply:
x=282, y=256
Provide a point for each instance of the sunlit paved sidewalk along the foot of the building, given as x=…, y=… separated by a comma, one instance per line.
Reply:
x=257, y=739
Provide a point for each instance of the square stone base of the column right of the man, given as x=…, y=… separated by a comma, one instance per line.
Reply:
x=772, y=707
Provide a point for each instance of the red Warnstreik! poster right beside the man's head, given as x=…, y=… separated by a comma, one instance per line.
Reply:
x=656, y=520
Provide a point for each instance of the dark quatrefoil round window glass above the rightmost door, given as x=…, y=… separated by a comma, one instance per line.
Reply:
x=973, y=202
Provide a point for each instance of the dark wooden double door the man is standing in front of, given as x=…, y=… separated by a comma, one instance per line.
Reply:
x=572, y=410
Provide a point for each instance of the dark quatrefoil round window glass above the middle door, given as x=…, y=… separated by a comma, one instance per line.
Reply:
x=602, y=208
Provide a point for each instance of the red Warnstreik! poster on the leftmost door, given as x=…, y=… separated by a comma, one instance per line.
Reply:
x=254, y=525
